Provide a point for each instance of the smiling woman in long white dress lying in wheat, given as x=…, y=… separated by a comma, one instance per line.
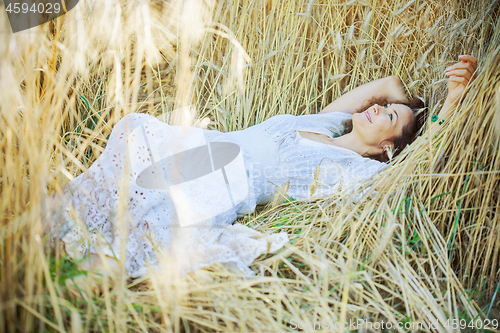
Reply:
x=165, y=189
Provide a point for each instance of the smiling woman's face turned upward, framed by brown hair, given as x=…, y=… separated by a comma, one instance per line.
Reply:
x=378, y=125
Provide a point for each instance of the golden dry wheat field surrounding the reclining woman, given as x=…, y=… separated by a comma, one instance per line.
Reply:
x=423, y=249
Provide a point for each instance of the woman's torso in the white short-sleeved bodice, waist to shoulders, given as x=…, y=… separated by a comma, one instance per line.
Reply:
x=290, y=148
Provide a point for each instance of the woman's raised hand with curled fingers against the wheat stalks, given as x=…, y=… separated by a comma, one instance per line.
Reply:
x=460, y=75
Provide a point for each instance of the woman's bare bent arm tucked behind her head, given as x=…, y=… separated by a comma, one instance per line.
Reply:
x=388, y=88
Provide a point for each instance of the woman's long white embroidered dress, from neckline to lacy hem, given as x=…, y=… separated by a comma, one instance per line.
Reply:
x=273, y=153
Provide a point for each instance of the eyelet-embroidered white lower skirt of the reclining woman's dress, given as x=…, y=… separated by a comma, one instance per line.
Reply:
x=88, y=220
